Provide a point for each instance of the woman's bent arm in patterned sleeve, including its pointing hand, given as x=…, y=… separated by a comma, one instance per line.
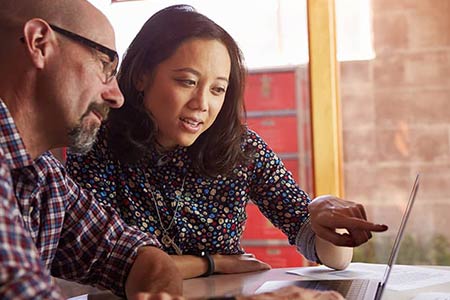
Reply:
x=280, y=199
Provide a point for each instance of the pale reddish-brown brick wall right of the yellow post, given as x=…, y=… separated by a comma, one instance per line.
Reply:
x=396, y=115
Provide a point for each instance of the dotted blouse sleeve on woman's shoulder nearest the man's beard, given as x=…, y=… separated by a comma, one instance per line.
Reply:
x=96, y=172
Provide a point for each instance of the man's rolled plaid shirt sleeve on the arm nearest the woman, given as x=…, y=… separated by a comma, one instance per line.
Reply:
x=96, y=247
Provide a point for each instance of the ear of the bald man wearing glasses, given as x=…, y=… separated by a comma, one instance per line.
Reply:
x=39, y=40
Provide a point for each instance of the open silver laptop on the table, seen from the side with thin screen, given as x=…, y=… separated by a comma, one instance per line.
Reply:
x=354, y=288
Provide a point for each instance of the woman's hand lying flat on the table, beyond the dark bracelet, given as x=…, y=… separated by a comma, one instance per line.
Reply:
x=227, y=264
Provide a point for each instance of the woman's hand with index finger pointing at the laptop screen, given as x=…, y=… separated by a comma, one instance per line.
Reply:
x=329, y=213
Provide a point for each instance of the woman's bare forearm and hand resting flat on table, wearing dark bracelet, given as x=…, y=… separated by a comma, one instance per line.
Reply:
x=193, y=266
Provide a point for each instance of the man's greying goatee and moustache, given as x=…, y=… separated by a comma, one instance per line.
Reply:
x=83, y=136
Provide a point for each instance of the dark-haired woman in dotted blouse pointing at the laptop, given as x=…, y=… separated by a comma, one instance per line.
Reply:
x=177, y=161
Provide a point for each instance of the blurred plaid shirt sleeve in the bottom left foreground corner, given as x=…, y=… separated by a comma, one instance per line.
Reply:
x=22, y=274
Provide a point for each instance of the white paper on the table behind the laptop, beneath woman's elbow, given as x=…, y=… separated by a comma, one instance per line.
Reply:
x=402, y=277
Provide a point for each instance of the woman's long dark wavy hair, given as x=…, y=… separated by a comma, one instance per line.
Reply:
x=132, y=130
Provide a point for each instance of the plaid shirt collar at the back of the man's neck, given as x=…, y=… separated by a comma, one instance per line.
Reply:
x=11, y=143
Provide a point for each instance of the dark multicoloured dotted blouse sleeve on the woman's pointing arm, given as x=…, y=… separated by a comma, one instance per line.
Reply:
x=279, y=197
